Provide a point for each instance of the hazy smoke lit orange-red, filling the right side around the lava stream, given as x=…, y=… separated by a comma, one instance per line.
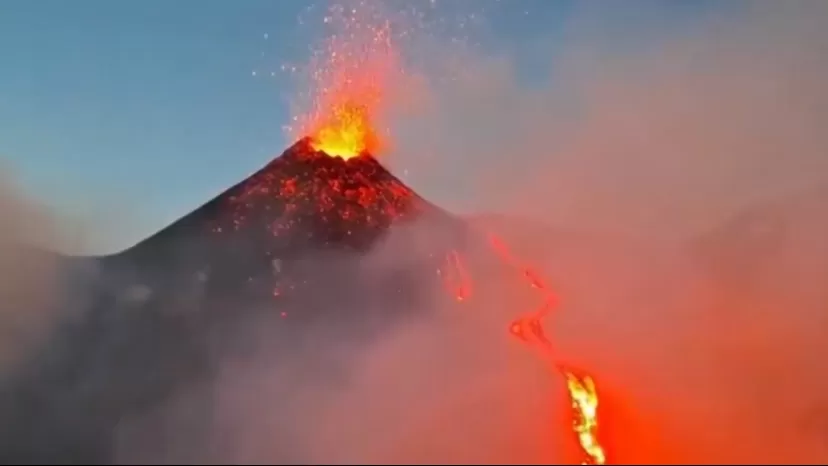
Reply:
x=626, y=170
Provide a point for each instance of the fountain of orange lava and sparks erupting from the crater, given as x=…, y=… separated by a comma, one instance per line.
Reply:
x=352, y=74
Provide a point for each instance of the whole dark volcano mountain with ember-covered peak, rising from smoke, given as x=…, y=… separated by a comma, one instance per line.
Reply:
x=282, y=254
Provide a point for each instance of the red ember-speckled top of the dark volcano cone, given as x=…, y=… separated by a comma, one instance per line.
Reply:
x=307, y=194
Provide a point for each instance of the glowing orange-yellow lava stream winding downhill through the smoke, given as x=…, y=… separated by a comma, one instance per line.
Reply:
x=583, y=395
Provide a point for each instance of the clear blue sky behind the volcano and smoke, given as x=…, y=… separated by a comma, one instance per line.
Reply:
x=152, y=104
